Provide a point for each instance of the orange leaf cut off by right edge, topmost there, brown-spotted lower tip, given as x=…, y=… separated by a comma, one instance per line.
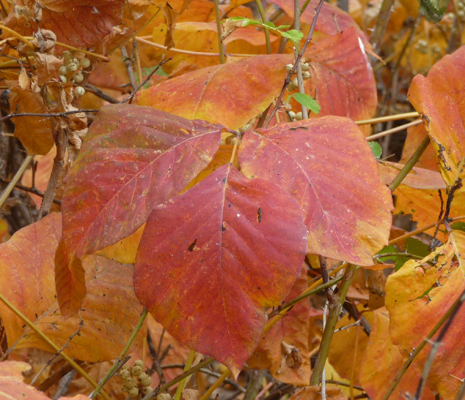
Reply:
x=439, y=98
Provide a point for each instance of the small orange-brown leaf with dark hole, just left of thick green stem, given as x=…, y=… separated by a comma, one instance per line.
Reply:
x=284, y=348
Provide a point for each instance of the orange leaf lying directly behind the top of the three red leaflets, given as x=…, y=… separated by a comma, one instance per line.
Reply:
x=215, y=97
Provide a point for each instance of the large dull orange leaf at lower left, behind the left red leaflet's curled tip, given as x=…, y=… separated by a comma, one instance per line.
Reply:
x=26, y=279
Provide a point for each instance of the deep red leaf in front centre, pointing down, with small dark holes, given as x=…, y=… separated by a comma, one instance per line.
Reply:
x=212, y=259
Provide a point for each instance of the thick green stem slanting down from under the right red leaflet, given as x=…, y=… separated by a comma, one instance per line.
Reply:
x=335, y=310
